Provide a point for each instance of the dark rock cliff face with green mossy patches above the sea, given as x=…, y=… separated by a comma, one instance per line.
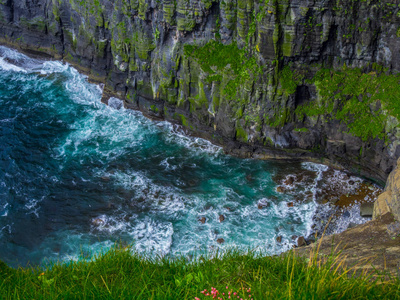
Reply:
x=270, y=78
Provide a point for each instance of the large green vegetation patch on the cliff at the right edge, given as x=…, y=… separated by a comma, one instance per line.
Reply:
x=368, y=103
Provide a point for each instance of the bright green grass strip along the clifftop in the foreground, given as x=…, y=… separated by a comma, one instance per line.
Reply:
x=123, y=275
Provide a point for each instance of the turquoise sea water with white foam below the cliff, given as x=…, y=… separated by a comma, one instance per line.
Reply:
x=77, y=176
